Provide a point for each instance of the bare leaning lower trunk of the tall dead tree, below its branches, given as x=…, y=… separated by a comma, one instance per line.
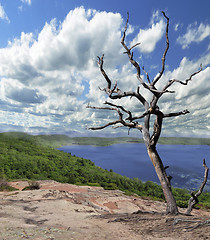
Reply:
x=164, y=180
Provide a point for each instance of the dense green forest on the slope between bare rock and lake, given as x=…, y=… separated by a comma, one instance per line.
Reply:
x=28, y=157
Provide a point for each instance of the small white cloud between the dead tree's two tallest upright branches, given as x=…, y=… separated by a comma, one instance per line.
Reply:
x=150, y=36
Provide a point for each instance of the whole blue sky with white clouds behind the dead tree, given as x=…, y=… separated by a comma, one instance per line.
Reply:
x=49, y=71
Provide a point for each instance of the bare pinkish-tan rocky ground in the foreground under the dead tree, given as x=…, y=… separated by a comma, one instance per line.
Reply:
x=64, y=211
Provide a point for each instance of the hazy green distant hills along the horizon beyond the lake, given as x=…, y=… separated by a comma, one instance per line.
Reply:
x=56, y=140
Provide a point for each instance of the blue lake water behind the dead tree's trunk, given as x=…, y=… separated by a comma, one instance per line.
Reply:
x=185, y=161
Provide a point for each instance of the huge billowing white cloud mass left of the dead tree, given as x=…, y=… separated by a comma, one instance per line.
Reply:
x=47, y=74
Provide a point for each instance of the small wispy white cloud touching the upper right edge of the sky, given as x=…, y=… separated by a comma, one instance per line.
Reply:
x=194, y=34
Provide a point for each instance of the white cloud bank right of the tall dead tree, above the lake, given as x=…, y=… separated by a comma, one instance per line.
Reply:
x=194, y=97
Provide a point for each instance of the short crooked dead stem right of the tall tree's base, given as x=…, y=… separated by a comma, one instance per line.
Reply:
x=194, y=199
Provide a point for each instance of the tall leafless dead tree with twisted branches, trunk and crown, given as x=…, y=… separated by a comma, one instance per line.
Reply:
x=150, y=108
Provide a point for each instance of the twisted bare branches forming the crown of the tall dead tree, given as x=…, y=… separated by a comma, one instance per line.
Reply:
x=115, y=93
